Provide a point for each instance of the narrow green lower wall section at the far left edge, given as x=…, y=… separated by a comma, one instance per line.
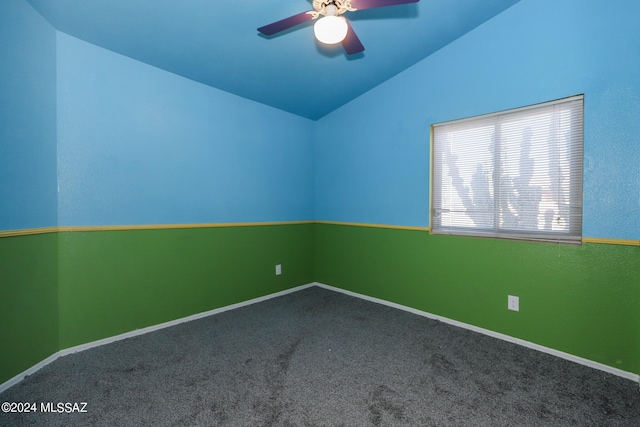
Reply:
x=28, y=302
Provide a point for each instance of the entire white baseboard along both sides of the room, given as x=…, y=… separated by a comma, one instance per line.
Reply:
x=590, y=363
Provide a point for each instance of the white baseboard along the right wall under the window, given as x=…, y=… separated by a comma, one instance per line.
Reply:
x=580, y=360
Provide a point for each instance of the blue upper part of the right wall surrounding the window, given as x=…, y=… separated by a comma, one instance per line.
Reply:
x=374, y=167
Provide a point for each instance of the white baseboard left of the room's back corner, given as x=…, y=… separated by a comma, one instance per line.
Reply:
x=13, y=381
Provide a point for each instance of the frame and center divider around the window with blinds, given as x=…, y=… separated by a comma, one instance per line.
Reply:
x=575, y=206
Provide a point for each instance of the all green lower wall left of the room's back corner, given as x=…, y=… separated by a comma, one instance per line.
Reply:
x=60, y=290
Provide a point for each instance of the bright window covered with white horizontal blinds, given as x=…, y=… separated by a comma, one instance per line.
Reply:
x=515, y=174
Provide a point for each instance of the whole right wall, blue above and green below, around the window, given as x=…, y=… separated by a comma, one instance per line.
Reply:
x=375, y=169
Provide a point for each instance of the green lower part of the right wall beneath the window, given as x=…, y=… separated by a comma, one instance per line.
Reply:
x=582, y=300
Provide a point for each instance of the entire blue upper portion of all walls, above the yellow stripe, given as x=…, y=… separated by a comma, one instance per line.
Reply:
x=137, y=145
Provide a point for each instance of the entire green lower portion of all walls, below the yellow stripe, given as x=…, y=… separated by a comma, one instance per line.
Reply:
x=64, y=289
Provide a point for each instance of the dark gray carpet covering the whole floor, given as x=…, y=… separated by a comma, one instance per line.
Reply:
x=321, y=358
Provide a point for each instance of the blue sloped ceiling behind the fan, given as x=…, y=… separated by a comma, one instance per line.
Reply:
x=216, y=43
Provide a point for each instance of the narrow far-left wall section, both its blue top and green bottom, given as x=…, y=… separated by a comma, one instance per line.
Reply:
x=28, y=194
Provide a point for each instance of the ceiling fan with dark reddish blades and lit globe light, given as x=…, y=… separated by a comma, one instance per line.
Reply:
x=332, y=28
